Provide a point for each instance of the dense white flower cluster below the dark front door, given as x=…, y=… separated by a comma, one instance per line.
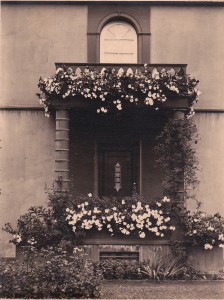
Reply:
x=138, y=217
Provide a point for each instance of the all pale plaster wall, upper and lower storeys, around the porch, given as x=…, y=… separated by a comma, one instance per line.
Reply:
x=41, y=35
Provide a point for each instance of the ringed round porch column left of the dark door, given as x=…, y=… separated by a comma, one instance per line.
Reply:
x=62, y=151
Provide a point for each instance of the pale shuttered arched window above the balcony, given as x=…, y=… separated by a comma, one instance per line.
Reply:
x=118, y=43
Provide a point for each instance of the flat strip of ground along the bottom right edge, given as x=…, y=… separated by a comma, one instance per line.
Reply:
x=124, y=289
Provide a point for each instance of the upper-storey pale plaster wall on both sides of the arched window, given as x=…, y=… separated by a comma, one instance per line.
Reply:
x=41, y=35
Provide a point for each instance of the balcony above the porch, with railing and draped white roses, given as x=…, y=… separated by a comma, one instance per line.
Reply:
x=175, y=90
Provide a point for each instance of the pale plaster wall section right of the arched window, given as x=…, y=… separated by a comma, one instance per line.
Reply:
x=192, y=35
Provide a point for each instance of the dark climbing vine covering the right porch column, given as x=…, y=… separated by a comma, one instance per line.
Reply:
x=177, y=159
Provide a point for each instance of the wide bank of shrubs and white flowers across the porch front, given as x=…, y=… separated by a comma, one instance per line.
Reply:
x=71, y=218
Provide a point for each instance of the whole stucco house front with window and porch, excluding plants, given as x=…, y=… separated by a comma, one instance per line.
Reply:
x=74, y=143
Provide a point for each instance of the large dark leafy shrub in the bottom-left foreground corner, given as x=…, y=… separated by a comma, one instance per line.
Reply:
x=49, y=273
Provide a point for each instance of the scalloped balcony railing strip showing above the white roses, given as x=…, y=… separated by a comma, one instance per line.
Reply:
x=126, y=68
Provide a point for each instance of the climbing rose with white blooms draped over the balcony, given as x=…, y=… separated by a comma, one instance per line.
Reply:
x=116, y=90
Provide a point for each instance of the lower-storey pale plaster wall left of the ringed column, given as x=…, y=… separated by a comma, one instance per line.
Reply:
x=27, y=165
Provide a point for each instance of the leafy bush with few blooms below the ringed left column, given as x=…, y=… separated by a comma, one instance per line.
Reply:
x=45, y=226
